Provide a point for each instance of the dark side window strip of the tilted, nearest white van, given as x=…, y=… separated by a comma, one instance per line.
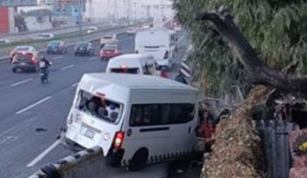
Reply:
x=161, y=114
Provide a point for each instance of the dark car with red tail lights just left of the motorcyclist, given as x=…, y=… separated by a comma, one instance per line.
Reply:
x=24, y=62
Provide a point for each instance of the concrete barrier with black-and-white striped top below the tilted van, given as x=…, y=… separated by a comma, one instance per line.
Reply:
x=90, y=163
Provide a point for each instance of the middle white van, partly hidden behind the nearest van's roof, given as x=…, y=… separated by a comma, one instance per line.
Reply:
x=132, y=63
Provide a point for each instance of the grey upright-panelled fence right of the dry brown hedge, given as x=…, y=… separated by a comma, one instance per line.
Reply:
x=274, y=135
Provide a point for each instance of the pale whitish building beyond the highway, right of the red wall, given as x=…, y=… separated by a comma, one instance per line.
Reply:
x=38, y=19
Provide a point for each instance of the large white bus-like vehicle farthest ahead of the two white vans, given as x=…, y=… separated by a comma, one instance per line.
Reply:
x=161, y=43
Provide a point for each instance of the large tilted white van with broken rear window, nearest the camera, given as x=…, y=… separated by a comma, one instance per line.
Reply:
x=154, y=119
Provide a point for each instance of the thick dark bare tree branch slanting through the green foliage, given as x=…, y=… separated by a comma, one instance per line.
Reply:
x=259, y=73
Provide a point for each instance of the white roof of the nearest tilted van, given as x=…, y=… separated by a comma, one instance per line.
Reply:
x=134, y=82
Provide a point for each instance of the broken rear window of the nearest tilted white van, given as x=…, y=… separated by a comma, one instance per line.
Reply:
x=99, y=107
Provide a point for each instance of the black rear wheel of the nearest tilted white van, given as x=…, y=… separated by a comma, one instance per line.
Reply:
x=138, y=160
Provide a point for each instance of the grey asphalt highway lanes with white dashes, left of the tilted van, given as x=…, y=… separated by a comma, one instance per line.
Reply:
x=31, y=114
